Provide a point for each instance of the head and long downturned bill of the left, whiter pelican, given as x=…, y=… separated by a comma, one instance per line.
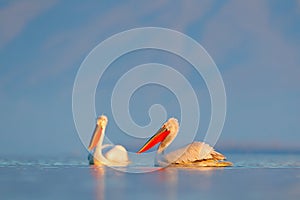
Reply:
x=98, y=132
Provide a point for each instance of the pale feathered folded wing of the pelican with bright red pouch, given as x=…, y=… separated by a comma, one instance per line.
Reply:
x=196, y=151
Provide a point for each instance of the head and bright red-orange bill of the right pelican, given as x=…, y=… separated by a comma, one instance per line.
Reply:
x=165, y=135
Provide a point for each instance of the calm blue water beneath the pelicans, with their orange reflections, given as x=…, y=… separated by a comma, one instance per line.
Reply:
x=254, y=176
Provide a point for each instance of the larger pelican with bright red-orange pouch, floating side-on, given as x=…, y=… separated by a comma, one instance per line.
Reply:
x=196, y=154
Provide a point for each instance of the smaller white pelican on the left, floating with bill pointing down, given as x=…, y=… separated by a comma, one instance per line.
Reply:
x=116, y=156
